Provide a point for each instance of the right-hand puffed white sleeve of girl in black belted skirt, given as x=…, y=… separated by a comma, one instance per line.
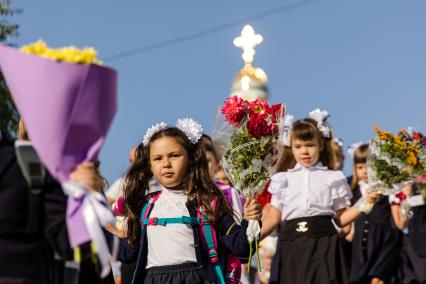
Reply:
x=340, y=192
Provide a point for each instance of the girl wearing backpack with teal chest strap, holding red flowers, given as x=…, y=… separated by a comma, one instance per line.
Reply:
x=164, y=233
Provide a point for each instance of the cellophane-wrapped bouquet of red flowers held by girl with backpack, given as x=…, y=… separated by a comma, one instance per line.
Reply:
x=246, y=142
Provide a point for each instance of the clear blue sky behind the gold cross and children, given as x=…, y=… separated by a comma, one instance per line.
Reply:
x=363, y=61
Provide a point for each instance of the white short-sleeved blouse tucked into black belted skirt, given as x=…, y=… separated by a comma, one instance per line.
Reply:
x=305, y=192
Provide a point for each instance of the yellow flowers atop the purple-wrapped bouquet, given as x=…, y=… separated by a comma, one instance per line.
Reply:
x=69, y=54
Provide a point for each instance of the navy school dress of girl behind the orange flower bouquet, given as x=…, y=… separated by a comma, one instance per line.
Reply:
x=375, y=245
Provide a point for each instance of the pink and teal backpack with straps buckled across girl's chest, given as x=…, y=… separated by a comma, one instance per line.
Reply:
x=224, y=263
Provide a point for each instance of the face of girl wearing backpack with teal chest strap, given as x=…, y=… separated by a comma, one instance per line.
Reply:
x=169, y=161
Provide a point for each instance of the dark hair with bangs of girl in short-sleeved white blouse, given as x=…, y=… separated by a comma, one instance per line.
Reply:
x=306, y=129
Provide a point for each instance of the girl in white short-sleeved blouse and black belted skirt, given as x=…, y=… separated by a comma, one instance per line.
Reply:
x=306, y=195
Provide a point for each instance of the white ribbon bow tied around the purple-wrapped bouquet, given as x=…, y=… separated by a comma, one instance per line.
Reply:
x=97, y=214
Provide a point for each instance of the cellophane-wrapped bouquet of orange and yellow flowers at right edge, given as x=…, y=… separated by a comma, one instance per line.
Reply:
x=395, y=160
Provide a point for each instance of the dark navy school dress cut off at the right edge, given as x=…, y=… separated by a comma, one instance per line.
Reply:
x=413, y=252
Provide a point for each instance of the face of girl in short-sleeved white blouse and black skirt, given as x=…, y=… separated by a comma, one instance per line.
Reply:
x=306, y=152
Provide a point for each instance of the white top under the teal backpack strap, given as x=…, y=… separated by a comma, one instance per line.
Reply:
x=174, y=243
